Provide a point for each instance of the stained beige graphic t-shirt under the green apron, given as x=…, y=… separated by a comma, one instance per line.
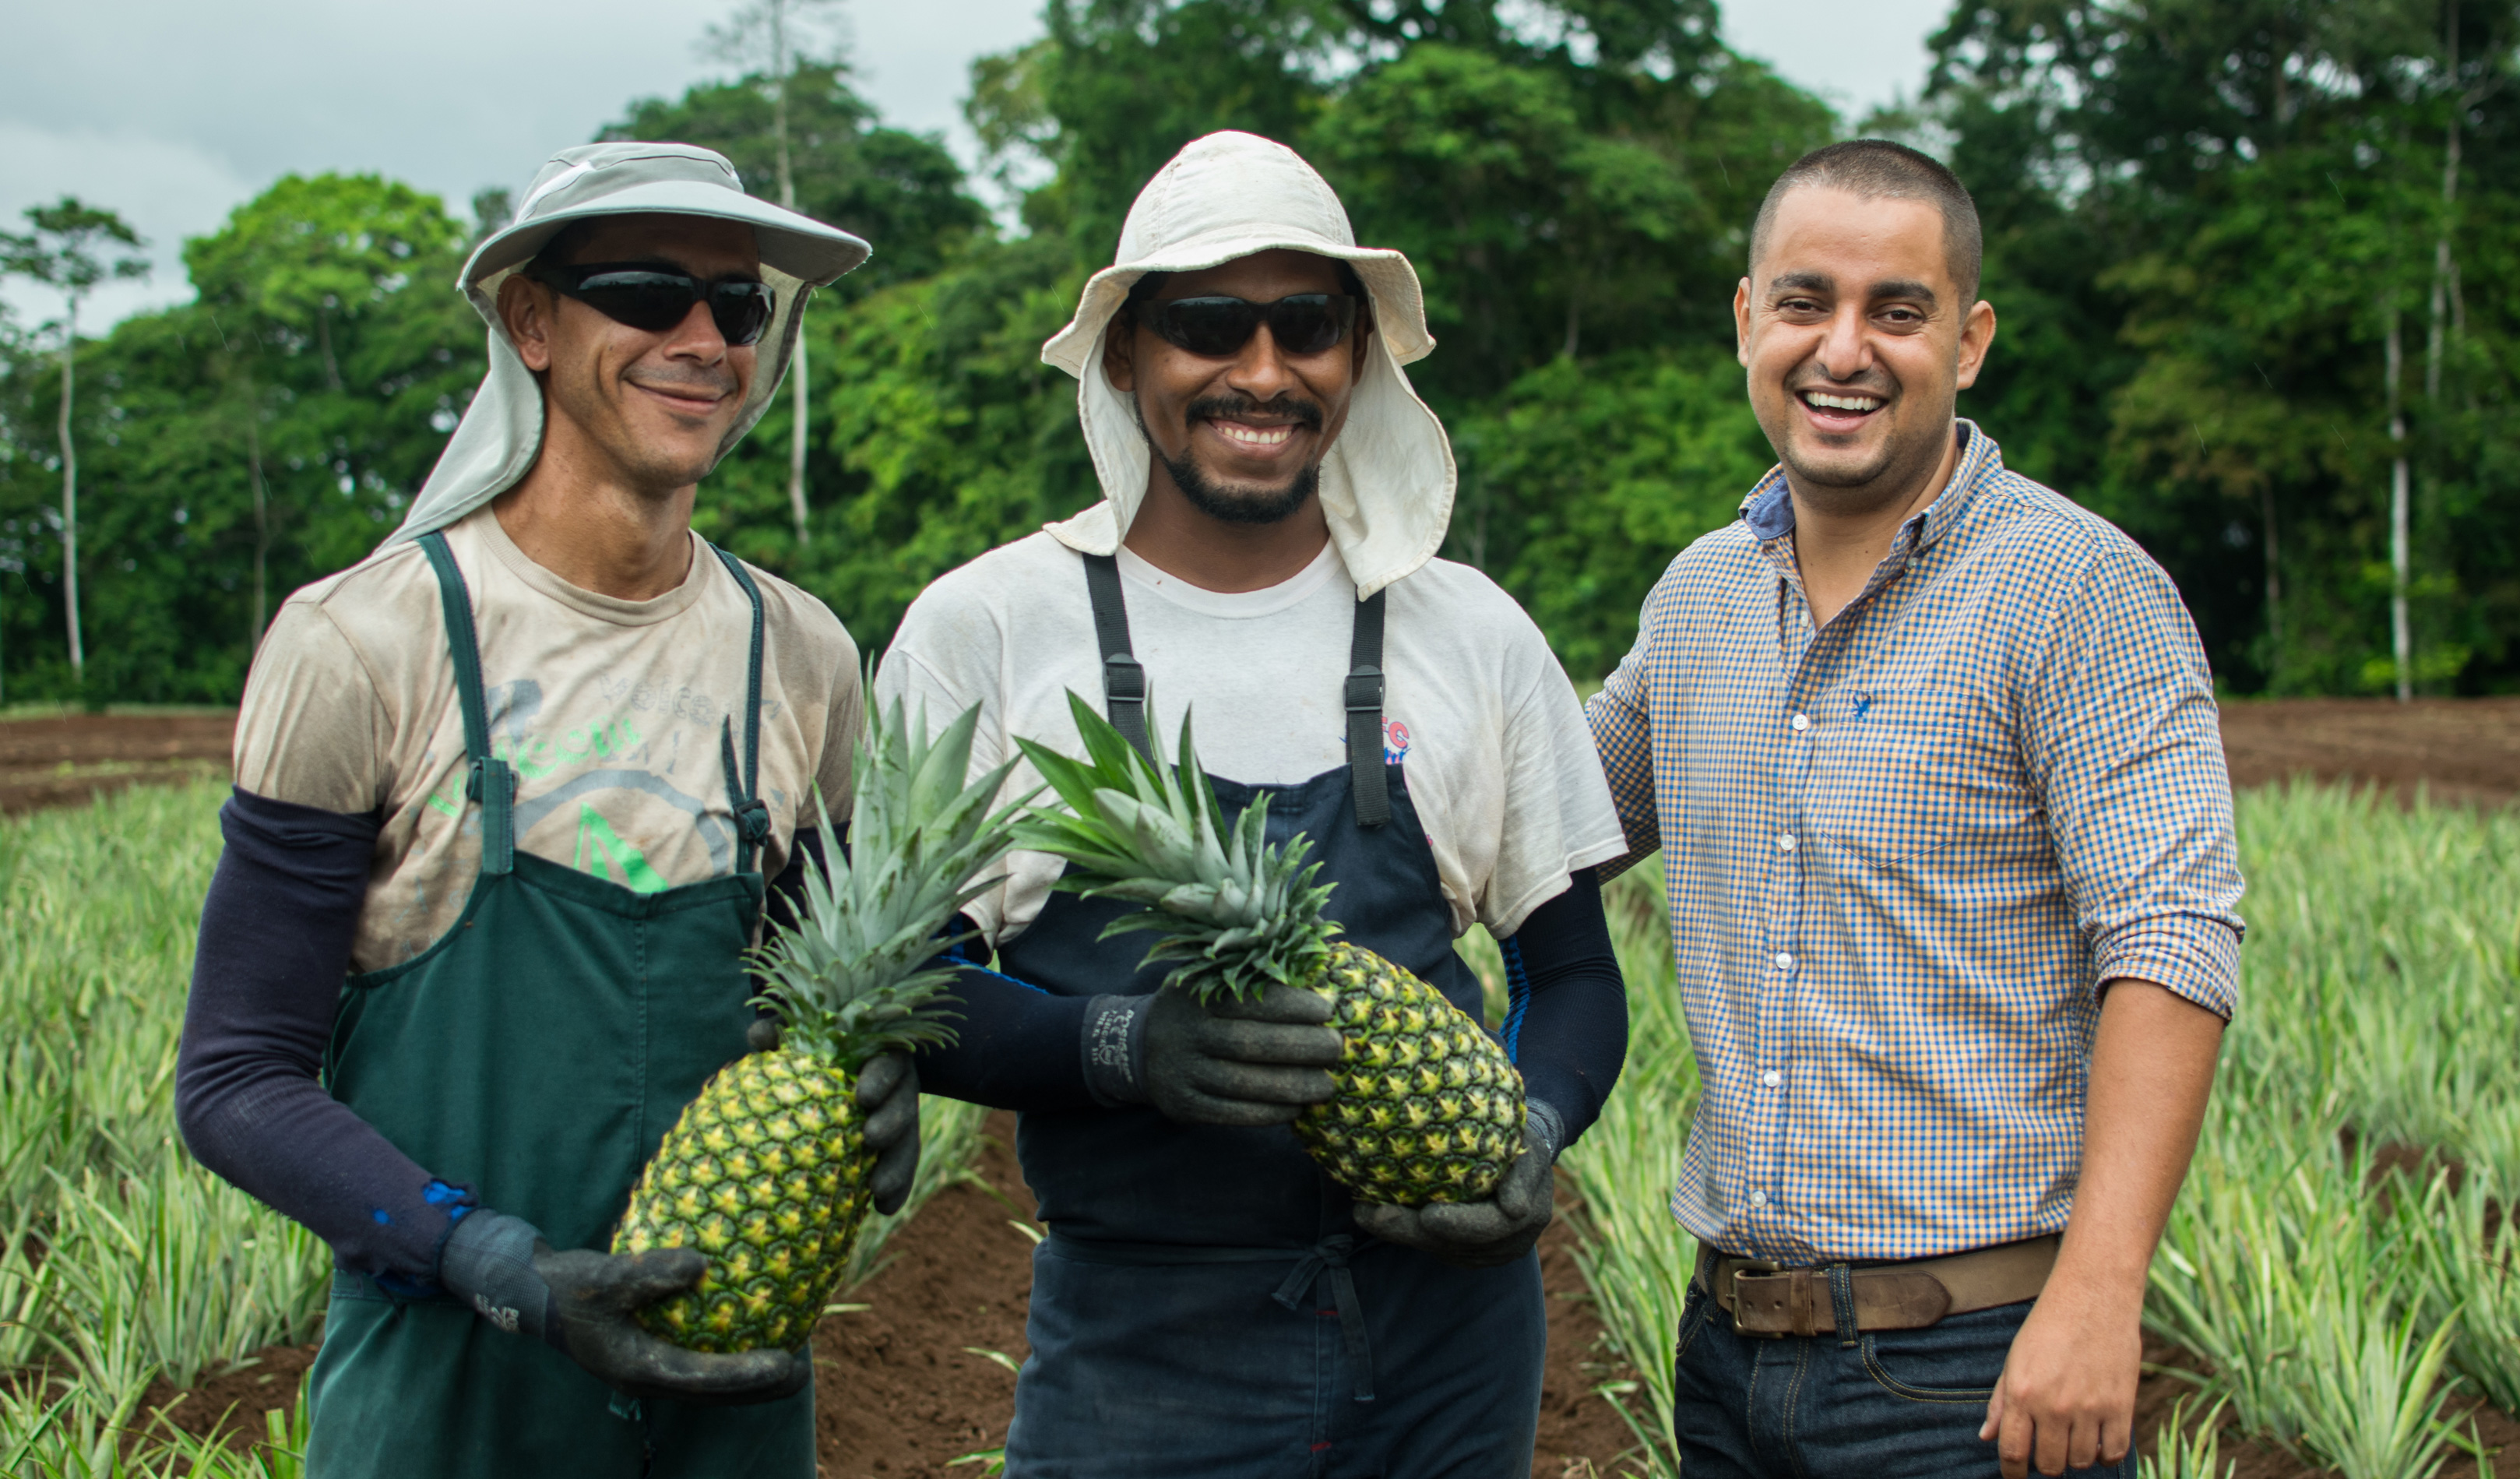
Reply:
x=609, y=709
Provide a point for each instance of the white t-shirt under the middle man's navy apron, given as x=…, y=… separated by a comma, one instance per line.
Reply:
x=1498, y=755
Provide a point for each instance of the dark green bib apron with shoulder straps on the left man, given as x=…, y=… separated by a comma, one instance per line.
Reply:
x=538, y=1054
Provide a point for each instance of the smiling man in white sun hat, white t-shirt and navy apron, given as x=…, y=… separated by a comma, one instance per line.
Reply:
x=1274, y=498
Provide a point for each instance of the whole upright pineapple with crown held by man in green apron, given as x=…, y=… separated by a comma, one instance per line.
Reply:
x=767, y=1170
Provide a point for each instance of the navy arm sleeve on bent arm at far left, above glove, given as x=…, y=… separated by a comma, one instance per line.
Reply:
x=266, y=984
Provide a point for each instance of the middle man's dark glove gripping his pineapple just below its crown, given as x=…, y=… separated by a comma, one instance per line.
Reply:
x=1234, y=1062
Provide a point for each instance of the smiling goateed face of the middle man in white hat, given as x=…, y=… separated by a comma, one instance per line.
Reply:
x=1239, y=440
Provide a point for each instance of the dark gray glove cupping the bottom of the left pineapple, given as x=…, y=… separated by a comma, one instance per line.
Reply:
x=581, y=1304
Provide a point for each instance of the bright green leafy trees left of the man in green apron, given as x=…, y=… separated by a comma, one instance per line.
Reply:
x=251, y=442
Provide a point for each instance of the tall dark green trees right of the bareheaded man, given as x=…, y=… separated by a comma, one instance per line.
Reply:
x=2209, y=231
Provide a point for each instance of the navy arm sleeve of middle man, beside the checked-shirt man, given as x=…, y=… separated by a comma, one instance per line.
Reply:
x=1566, y=1024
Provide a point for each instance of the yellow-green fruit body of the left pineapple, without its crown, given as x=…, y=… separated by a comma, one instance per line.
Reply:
x=767, y=1173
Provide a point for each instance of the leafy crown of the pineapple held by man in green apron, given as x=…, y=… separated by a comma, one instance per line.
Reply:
x=853, y=976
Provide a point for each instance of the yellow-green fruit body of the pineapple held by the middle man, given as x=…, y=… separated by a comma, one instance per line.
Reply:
x=1430, y=1107
